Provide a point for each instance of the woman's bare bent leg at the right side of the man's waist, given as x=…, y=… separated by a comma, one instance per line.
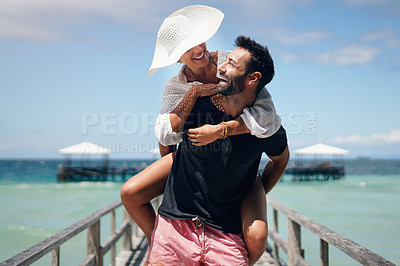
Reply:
x=254, y=221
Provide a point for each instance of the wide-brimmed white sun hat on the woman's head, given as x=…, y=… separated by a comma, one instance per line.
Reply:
x=183, y=30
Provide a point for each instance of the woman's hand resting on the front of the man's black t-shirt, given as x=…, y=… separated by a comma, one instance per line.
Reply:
x=205, y=134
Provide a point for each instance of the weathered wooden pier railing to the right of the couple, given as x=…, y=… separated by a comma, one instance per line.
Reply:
x=292, y=246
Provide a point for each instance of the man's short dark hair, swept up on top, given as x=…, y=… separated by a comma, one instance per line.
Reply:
x=260, y=60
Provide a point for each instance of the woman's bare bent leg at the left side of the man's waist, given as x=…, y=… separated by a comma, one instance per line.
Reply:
x=140, y=189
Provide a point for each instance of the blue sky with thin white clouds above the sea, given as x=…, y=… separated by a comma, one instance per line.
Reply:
x=74, y=71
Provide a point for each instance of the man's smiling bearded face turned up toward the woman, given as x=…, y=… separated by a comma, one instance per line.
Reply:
x=233, y=70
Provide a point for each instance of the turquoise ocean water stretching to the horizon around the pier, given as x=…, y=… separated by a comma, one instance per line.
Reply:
x=363, y=206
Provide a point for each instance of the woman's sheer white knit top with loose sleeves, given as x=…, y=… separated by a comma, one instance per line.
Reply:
x=261, y=118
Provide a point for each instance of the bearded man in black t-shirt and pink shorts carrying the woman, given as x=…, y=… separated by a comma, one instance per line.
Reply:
x=199, y=220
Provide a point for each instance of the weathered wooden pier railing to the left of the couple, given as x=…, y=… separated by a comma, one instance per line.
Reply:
x=95, y=250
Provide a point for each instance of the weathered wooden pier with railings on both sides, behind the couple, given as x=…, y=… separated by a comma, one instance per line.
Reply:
x=134, y=246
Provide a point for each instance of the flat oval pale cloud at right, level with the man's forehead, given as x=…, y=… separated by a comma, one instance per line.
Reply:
x=349, y=55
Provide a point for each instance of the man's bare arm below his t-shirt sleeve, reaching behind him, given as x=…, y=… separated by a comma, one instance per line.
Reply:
x=274, y=170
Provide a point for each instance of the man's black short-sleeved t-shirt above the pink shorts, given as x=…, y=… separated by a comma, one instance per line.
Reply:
x=211, y=181
